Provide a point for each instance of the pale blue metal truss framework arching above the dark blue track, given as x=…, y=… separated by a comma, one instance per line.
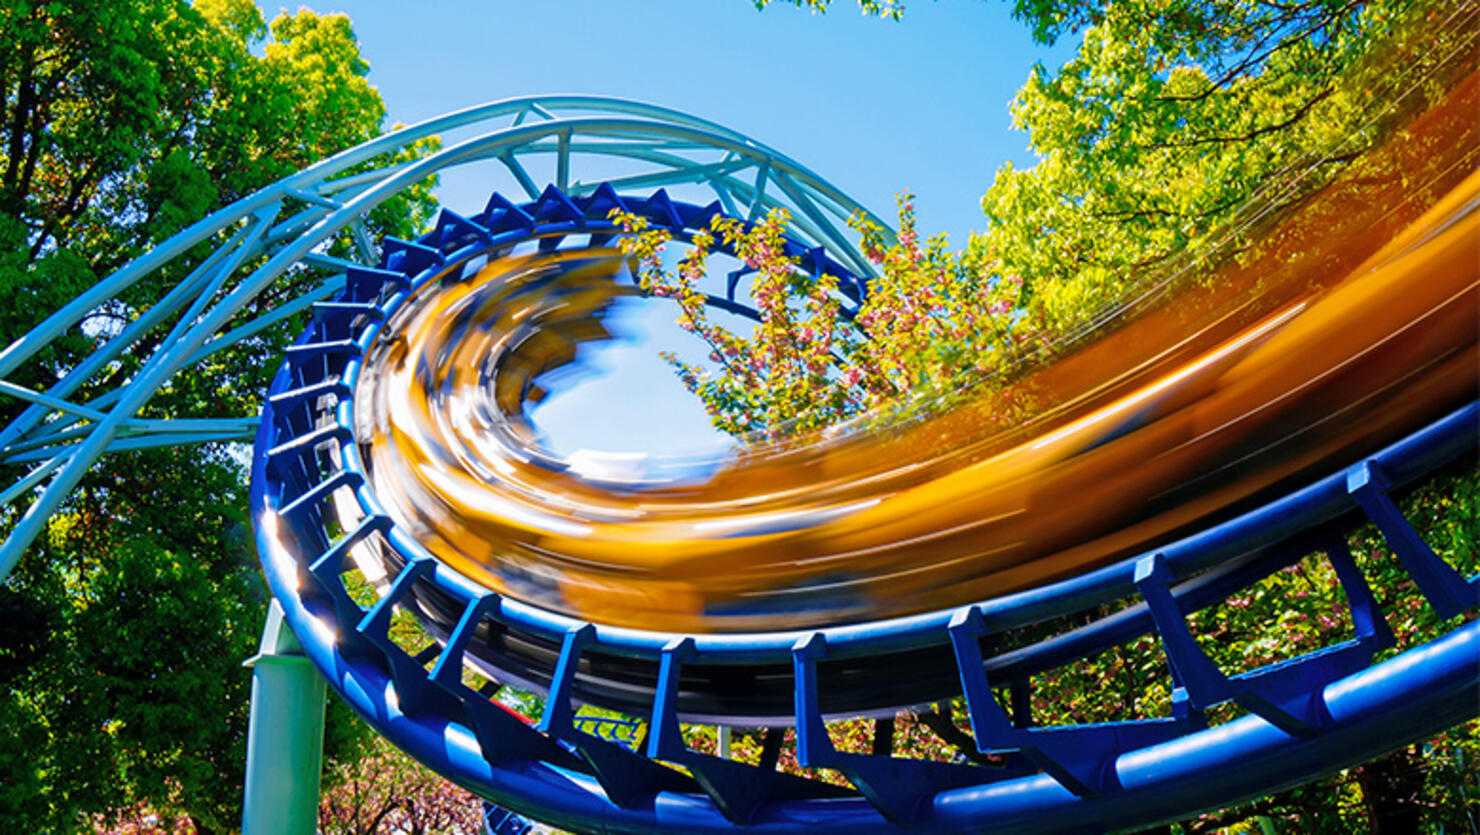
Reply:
x=285, y=232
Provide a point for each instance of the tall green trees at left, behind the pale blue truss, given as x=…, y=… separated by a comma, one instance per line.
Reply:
x=128, y=621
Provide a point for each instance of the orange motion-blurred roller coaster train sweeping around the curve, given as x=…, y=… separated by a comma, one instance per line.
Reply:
x=1352, y=323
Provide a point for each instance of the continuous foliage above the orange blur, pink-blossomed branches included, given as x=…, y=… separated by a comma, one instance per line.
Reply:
x=1165, y=141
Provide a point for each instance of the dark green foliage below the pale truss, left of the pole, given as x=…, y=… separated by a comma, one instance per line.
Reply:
x=146, y=603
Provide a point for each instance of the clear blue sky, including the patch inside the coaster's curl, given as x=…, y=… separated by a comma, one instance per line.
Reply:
x=874, y=106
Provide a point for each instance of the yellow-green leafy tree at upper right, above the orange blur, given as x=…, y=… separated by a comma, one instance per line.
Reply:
x=1176, y=118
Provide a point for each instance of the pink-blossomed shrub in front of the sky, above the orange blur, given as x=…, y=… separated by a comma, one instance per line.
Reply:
x=933, y=326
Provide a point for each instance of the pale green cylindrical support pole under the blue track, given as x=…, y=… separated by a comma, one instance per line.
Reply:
x=286, y=737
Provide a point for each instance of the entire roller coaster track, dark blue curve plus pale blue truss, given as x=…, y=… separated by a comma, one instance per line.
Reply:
x=319, y=517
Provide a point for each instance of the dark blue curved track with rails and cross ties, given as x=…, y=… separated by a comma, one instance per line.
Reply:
x=1305, y=717
